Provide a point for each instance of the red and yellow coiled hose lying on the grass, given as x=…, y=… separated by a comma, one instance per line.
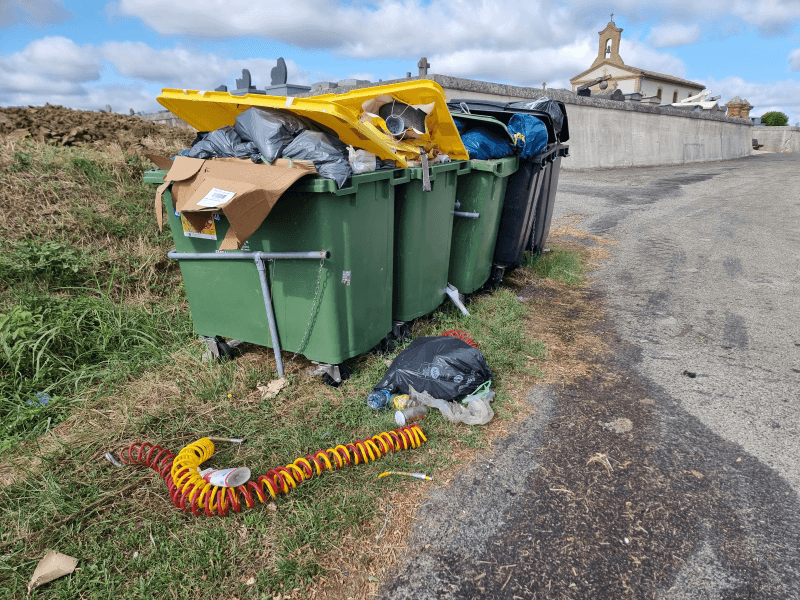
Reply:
x=189, y=491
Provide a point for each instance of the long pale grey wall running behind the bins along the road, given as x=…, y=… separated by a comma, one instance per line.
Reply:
x=608, y=134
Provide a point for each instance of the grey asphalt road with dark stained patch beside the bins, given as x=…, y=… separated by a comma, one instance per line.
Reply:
x=703, y=499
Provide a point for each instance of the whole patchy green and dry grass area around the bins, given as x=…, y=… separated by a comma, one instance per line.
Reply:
x=137, y=544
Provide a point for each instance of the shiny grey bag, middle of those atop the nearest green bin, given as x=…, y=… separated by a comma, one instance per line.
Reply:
x=271, y=131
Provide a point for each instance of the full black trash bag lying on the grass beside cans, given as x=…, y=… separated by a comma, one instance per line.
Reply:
x=445, y=367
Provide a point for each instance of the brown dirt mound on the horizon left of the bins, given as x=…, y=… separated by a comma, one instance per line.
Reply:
x=68, y=127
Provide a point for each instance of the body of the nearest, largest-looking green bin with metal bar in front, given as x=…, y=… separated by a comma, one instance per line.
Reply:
x=326, y=309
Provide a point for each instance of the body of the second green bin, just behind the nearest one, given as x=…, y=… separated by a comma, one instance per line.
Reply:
x=423, y=227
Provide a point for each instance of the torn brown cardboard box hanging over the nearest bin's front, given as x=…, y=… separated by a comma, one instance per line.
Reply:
x=243, y=191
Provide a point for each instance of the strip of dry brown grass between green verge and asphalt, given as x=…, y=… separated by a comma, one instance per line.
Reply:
x=562, y=317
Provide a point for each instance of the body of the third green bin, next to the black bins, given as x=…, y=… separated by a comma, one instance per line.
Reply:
x=479, y=201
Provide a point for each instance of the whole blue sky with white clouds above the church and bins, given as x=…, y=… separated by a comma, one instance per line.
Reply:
x=122, y=53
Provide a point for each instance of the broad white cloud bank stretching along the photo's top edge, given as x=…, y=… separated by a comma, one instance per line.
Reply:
x=362, y=29
